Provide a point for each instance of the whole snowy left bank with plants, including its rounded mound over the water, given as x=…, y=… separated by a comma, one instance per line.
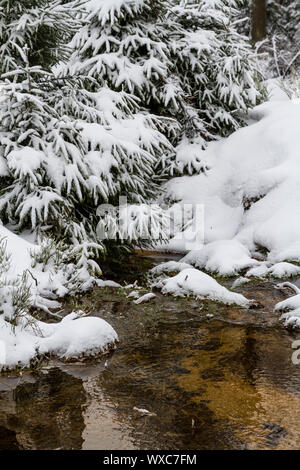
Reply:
x=28, y=280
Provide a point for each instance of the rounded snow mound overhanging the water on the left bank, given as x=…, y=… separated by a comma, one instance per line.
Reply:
x=71, y=337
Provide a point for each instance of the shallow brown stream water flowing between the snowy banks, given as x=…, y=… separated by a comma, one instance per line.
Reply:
x=211, y=376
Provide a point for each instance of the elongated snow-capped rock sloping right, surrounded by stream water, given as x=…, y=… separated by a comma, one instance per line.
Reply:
x=194, y=282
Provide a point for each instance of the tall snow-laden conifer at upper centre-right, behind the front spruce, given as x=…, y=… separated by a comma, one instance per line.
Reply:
x=182, y=59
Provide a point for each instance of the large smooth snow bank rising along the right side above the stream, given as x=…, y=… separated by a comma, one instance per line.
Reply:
x=251, y=194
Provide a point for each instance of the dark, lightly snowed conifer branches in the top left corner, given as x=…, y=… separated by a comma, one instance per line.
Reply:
x=43, y=26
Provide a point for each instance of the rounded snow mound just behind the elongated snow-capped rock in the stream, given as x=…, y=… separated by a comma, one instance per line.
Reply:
x=224, y=257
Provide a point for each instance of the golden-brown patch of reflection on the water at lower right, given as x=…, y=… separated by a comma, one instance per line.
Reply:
x=248, y=400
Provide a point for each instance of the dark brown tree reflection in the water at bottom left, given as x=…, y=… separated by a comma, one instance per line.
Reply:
x=47, y=414
